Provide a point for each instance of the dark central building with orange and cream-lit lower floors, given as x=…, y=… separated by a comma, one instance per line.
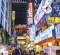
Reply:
x=19, y=9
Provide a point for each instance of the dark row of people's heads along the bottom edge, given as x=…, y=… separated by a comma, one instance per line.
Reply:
x=25, y=52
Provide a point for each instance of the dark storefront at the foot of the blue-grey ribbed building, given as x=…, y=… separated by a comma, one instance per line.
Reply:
x=4, y=37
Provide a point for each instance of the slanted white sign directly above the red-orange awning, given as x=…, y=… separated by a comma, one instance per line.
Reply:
x=45, y=34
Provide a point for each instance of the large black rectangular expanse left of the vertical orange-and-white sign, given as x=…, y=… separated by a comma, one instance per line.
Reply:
x=20, y=13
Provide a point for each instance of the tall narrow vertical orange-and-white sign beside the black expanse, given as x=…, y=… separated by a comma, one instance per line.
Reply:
x=30, y=11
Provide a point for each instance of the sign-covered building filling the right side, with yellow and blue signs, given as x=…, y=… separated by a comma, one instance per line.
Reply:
x=45, y=20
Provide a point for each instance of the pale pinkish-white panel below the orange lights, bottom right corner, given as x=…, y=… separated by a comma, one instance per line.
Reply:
x=54, y=50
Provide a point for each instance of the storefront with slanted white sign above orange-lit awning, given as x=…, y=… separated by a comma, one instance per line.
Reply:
x=47, y=37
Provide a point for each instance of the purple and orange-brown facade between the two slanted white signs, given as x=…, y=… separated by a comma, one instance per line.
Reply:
x=41, y=26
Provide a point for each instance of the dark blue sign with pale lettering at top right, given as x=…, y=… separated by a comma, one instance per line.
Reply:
x=56, y=9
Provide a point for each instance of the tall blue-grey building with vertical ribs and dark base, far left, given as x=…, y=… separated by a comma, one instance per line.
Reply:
x=5, y=20
